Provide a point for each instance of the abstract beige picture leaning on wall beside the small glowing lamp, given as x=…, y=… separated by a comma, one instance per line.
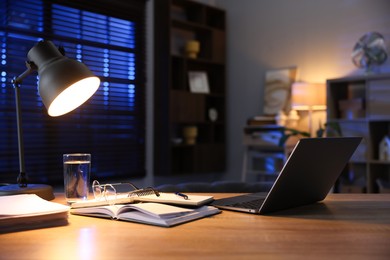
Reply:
x=277, y=90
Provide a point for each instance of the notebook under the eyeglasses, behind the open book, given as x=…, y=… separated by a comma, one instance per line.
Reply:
x=167, y=198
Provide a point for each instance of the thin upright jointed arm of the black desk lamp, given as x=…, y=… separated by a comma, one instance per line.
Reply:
x=16, y=82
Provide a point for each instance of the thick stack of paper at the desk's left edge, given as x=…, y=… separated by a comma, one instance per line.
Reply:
x=29, y=211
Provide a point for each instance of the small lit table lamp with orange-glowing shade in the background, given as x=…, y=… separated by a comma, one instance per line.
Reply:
x=308, y=97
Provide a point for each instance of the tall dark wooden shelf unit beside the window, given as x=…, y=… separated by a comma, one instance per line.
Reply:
x=176, y=107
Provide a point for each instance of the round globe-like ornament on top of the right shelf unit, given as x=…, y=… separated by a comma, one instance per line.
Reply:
x=370, y=50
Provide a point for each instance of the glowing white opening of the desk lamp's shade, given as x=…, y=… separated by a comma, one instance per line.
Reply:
x=74, y=96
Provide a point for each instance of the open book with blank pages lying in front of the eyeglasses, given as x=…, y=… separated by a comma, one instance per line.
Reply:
x=148, y=213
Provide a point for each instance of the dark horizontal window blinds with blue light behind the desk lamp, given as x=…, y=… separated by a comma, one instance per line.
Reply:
x=107, y=36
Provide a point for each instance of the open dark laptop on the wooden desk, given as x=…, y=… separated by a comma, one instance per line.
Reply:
x=307, y=177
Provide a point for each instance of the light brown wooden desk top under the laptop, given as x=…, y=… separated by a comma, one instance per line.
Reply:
x=345, y=226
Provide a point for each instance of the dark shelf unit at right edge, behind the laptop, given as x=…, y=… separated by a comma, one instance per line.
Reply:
x=360, y=106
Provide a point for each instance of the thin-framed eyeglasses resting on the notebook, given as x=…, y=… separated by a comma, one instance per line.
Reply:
x=109, y=192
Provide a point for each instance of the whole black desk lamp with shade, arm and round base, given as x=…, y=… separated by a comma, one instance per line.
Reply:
x=64, y=85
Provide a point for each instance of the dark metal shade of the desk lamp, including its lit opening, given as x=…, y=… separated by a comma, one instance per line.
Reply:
x=64, y=84
